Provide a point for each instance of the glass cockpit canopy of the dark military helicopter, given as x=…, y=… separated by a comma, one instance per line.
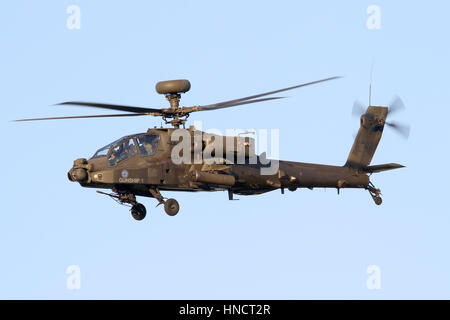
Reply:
x=126, y=147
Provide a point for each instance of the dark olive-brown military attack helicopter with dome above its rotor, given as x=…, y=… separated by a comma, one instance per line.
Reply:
x=143, y=164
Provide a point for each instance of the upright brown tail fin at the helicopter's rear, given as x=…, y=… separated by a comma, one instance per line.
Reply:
x=369, y=135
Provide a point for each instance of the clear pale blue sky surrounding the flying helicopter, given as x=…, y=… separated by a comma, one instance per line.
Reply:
x=307, y=244
